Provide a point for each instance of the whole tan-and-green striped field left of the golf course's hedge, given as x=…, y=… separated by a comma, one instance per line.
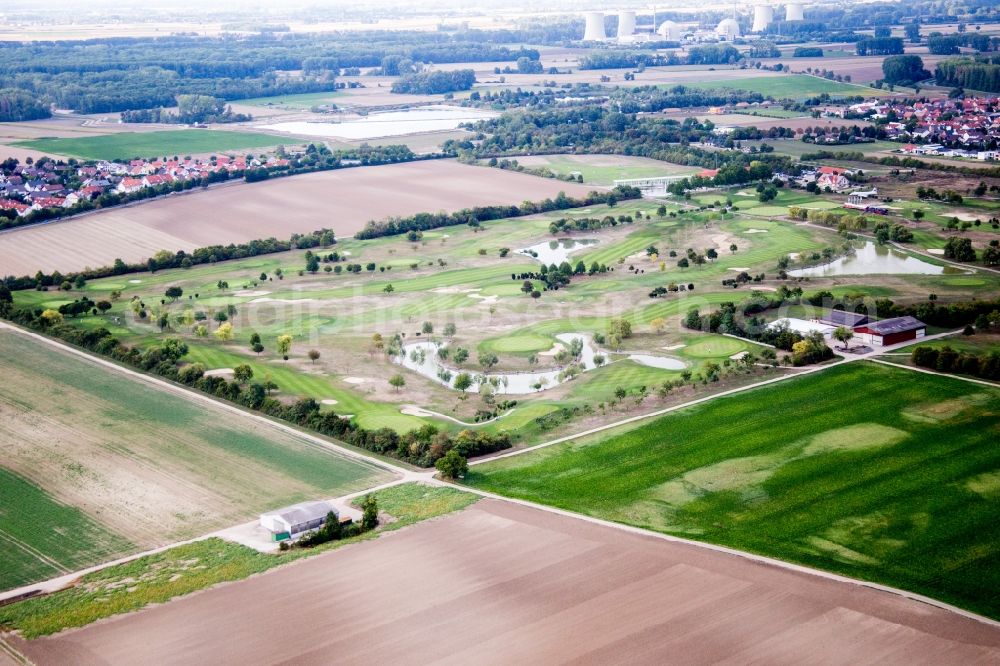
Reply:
x=147, y=465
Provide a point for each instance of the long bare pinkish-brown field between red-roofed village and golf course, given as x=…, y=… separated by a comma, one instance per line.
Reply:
x=343, y=200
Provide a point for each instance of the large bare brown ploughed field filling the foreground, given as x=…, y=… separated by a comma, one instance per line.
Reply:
x=500, y=584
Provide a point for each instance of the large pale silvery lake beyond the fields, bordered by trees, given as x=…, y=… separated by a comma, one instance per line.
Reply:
x=387, y=123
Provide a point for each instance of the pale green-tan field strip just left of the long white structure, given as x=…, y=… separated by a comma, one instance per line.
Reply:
x=605, y=169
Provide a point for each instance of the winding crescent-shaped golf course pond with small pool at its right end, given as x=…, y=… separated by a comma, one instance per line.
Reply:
x=421, y=357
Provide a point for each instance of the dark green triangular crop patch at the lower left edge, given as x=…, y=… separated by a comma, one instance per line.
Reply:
x=41, y=538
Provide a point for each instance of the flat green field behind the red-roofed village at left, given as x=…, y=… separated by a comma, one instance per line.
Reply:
x=128, y=145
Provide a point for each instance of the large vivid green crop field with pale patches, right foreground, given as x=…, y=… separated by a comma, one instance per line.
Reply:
x=877, y=473
